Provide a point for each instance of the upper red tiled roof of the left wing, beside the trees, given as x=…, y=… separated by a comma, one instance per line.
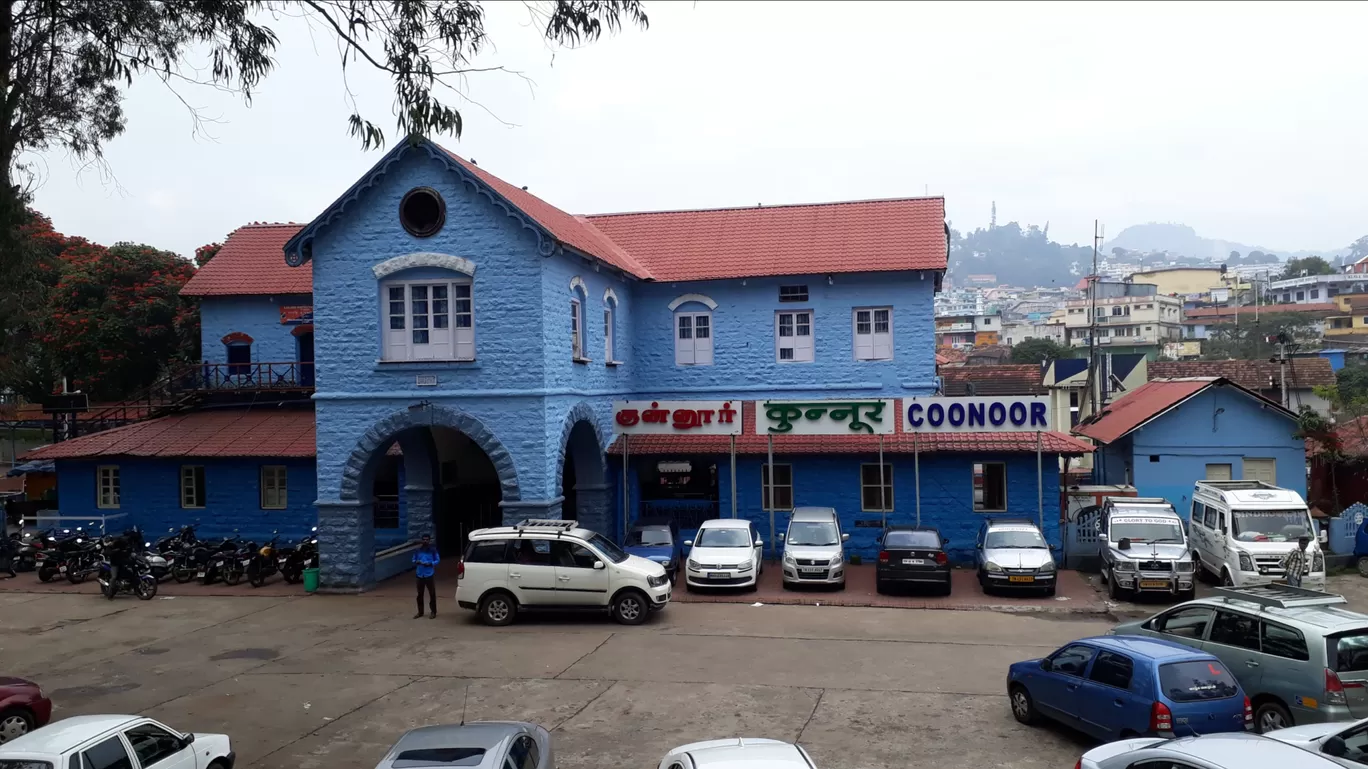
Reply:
x=252, y=262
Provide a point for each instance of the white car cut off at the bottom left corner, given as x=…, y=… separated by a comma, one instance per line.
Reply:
x=96, y=742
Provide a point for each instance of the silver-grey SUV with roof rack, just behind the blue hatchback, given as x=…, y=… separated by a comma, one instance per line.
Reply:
x=1299, y=655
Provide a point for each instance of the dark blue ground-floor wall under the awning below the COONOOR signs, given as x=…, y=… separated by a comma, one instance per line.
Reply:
x=835, y=482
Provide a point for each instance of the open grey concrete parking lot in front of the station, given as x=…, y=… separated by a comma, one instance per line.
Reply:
x=330, y=682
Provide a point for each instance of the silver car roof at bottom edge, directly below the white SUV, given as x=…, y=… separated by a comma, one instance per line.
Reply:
x=484, y=745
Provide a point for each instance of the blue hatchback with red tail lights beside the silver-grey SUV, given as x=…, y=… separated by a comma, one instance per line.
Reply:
x=1118, y=688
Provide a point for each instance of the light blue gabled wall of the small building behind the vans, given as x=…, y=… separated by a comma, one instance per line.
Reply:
x=1221, y=426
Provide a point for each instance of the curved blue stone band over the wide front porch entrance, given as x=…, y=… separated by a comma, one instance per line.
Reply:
x=385, y=432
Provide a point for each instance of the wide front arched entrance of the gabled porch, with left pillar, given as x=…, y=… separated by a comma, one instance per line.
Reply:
x=425, y=470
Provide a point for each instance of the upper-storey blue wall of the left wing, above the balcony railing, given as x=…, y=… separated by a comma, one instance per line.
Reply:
x=255, y=317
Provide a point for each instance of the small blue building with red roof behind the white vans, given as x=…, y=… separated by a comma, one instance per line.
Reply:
x=1168, y=434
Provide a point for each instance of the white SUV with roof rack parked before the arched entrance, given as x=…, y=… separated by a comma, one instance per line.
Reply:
x=556, y=566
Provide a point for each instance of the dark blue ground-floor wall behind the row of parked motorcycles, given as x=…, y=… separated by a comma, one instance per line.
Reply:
x=151, y=497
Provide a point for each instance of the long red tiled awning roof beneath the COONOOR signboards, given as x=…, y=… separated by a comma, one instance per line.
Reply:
x=901, y=443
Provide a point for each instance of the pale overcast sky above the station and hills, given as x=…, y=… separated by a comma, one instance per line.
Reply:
x=1248, y=122
